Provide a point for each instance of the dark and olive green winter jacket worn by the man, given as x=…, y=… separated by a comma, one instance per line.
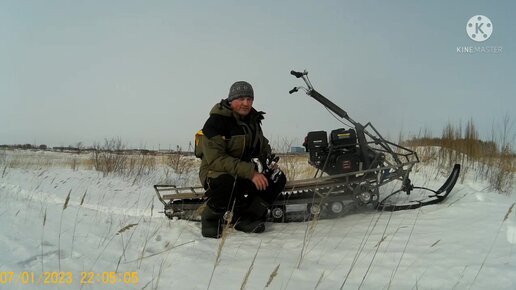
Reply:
x=229, y=143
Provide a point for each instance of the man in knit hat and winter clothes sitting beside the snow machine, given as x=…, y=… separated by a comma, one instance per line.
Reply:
x=237, y=169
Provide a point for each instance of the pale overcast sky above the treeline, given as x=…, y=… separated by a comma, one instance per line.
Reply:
x=150, y=71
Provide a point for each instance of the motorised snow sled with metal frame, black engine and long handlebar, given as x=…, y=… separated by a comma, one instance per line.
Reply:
x=352, y=165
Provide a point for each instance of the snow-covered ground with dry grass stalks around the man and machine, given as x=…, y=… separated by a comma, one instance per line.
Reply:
x=113, y=224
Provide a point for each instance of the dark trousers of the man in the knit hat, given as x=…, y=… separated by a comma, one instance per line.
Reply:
x=225, y=190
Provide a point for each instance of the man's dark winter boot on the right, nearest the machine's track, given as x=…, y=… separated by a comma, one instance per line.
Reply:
x=253, y=218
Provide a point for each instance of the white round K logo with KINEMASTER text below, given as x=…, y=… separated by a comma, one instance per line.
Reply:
x=479, y=29
